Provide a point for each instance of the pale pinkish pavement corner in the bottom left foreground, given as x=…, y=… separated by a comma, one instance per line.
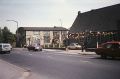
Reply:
x=10, y=71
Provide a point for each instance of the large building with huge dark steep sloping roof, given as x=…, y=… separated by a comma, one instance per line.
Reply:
x=98, y=25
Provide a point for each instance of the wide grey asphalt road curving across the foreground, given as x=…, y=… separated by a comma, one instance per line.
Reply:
x=51, y=65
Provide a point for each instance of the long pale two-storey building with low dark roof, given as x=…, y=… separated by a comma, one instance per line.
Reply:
x=46, y=36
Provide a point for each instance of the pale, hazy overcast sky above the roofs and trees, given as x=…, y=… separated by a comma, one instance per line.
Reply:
x=46, y=13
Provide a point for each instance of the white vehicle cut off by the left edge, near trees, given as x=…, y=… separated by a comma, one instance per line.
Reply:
x=5, y=48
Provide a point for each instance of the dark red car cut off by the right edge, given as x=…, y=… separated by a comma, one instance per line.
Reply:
x=111, y=49
